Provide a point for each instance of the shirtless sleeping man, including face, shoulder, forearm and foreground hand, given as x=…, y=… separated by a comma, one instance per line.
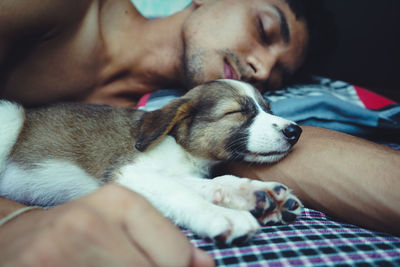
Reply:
x=106, y=52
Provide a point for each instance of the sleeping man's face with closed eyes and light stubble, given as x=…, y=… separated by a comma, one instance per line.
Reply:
x=258, y=41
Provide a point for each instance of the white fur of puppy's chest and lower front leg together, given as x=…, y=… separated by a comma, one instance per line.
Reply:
x=184, y=203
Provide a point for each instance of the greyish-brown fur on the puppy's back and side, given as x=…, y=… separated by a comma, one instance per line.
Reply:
x=96, y=138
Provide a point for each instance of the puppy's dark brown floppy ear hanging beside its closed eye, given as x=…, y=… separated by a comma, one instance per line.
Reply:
x=155, y=125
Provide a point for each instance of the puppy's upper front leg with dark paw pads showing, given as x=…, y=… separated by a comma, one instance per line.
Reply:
x=269, y=202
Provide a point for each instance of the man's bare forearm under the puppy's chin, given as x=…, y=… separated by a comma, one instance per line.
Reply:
x=349, y=178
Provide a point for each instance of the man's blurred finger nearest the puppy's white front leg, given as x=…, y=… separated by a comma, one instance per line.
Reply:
x=162, y=242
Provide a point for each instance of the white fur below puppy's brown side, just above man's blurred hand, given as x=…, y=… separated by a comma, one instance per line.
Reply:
x=51, y=183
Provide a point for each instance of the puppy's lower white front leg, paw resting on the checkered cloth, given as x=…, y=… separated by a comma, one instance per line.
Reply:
x=187, y=208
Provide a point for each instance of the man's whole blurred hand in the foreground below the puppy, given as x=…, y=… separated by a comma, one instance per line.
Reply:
x=111, y=227
